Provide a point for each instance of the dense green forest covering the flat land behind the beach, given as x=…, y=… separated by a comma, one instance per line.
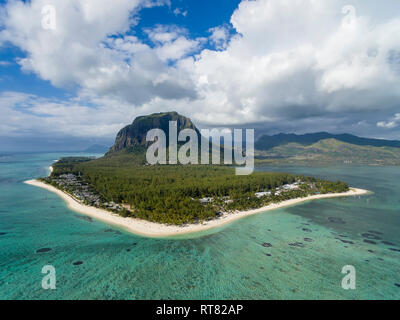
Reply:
x=170, y=194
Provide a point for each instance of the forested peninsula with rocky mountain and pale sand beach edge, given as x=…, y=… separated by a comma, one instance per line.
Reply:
x=165, y=200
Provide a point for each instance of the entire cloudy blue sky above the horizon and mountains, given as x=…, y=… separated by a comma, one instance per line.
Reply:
x=73, y=74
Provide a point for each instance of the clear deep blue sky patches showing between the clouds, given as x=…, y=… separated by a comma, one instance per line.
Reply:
x=199, y=18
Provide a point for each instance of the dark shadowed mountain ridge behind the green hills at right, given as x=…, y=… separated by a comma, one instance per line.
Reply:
x=268, y=142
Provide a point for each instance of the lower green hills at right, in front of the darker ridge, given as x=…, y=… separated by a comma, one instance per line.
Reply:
x=331, y=151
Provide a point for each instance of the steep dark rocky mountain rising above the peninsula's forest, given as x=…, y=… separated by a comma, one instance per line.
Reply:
x=133, y=137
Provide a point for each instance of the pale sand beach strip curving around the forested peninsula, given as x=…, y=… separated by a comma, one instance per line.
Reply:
x=157, y=230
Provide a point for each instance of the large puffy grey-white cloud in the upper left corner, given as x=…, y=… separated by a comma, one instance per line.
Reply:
x=89, y=48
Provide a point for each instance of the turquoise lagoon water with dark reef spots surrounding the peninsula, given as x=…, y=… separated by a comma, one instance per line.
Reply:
x=229, y=263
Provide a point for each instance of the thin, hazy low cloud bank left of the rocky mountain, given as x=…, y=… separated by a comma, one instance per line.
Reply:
x=39, y=116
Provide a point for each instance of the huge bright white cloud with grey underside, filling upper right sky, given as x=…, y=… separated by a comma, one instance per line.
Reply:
x=299, y=59
